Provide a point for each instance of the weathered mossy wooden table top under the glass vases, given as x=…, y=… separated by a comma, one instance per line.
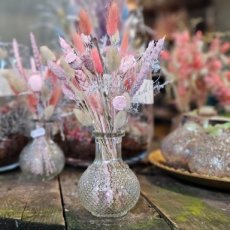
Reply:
x=165, y=203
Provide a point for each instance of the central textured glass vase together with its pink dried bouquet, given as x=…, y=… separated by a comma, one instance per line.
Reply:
x=107, y=80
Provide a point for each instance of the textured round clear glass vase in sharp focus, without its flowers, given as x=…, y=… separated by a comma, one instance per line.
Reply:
x=108, y=188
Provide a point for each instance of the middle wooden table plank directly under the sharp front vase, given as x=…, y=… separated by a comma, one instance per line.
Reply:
x=142, y=217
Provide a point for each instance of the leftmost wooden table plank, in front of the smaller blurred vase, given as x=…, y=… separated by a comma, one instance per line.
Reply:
x=26, y=204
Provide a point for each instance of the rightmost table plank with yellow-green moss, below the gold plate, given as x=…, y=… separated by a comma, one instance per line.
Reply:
x=186, y=206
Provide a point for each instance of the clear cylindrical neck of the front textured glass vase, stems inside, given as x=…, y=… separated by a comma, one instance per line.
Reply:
x=108, y=146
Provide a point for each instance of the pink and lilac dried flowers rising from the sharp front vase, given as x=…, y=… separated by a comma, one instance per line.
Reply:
x=105, y=78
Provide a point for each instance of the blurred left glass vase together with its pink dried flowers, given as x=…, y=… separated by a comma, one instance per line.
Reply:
x=41, y=158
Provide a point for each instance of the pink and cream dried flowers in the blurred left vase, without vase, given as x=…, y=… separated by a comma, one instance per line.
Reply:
x=38, y=84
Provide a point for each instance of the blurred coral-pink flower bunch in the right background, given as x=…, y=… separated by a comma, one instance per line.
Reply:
x=197, y=70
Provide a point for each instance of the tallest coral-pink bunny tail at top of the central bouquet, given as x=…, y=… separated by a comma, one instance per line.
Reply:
x=112, y=20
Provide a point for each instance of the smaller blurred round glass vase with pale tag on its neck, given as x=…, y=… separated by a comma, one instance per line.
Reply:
x=42, y=158
